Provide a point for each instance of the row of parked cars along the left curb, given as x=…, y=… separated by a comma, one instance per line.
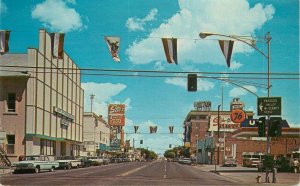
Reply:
x=38, y=163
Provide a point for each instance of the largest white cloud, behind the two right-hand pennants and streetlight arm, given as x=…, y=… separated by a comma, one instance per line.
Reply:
x=195, y=16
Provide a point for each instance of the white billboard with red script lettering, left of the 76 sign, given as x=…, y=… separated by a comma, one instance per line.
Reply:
x=226, y=124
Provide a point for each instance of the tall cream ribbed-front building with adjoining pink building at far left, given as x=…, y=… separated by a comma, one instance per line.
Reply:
x=41, y=103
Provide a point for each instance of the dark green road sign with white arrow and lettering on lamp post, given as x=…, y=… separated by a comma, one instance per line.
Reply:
x=267, y=106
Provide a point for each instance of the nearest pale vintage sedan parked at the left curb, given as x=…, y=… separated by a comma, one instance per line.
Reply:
x=35, y=163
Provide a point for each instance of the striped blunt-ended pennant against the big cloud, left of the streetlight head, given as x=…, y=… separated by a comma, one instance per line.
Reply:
x=170, y=47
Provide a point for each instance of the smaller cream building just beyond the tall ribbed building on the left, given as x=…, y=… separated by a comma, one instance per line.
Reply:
x=96, y=135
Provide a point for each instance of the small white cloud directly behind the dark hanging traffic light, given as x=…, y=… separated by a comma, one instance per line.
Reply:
x=202, y=85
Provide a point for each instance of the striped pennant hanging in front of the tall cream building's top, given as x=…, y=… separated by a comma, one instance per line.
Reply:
x=57, y=45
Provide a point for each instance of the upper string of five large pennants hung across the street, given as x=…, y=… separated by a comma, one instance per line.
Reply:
x=113, y=43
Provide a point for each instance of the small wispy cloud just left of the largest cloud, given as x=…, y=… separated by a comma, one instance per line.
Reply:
x=136, y=24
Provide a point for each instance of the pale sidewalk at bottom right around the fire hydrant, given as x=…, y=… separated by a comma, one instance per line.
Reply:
x=248, y=176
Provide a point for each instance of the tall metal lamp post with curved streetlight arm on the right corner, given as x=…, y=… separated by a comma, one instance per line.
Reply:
x=246, y=40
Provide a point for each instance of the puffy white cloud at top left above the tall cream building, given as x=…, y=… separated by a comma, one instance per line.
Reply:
x=56, y=15
